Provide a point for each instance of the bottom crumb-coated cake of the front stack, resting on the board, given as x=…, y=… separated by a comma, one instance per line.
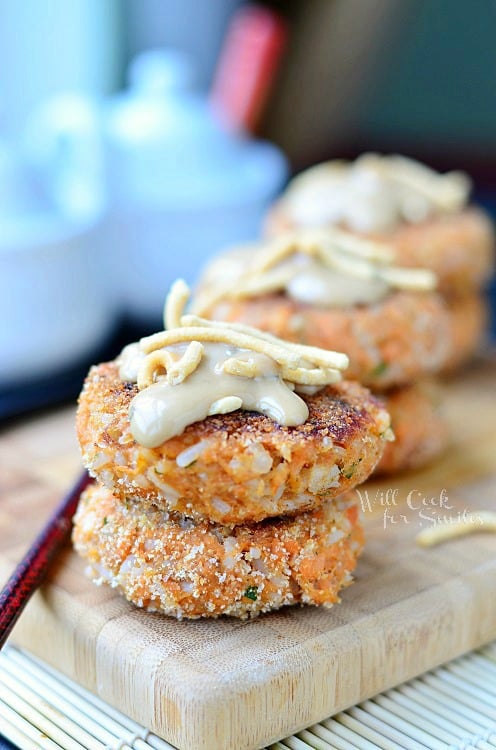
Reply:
x=165, y=562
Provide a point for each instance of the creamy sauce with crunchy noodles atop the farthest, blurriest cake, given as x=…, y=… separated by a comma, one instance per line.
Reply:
x=373, y=194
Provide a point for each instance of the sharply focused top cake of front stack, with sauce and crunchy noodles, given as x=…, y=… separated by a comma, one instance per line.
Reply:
x=227, y=423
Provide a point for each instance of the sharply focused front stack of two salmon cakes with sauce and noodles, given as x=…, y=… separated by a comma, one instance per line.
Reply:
x=225, y=461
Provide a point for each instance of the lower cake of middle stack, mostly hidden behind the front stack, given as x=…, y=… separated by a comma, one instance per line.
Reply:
x=420, y=429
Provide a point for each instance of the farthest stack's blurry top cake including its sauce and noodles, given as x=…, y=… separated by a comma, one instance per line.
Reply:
x=423, y=215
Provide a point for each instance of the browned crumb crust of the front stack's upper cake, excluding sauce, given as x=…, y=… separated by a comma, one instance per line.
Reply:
x=334, y=450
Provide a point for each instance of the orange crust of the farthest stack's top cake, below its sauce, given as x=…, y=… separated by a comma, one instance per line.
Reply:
x=459, y=248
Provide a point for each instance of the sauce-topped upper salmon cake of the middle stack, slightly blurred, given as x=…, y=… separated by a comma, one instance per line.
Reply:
x=335, y=291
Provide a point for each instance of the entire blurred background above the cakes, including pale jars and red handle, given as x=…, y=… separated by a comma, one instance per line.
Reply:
x=137, y=137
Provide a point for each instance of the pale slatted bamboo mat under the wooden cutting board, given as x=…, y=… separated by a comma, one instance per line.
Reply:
x=452, y=707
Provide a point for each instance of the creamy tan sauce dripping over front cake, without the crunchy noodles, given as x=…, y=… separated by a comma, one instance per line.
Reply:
x=161, y=411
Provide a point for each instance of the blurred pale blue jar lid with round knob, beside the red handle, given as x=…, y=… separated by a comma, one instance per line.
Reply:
x=167, y=147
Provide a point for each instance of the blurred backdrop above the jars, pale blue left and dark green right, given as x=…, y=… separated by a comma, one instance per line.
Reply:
x=392, y=74
